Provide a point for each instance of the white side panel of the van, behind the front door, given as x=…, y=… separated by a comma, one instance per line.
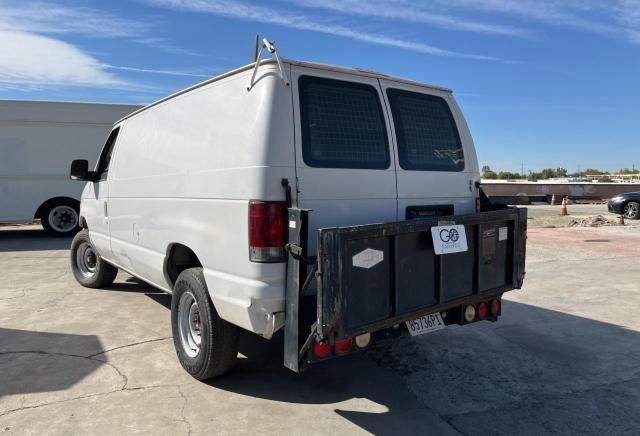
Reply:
x=184, y=171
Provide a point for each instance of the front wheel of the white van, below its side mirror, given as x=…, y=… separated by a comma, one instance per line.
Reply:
x=89, y=269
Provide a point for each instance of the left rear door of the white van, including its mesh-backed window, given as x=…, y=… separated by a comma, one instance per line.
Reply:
x=345, y=164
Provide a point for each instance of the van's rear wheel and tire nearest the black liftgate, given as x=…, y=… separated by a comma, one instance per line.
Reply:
x=206, y=345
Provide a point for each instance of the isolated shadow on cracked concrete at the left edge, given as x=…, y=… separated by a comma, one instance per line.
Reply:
x=26, y=368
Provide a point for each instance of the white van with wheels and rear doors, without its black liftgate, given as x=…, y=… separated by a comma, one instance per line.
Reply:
x=188, y=192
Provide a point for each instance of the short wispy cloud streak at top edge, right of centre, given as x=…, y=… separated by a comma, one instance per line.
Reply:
x=414, y=12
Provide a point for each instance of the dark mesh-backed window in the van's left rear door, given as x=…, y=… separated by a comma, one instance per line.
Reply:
x=342, y=125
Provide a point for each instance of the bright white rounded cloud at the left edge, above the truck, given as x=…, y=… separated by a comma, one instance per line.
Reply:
x=36, y=61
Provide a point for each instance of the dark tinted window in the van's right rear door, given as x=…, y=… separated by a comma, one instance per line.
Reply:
x=426, y=132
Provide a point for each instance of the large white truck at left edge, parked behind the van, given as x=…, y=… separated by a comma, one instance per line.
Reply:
x=38, y=139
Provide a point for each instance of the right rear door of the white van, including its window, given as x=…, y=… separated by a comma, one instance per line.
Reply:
x=436, y=161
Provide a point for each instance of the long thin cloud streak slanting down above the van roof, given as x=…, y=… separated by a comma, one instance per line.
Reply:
x=257, y=13
